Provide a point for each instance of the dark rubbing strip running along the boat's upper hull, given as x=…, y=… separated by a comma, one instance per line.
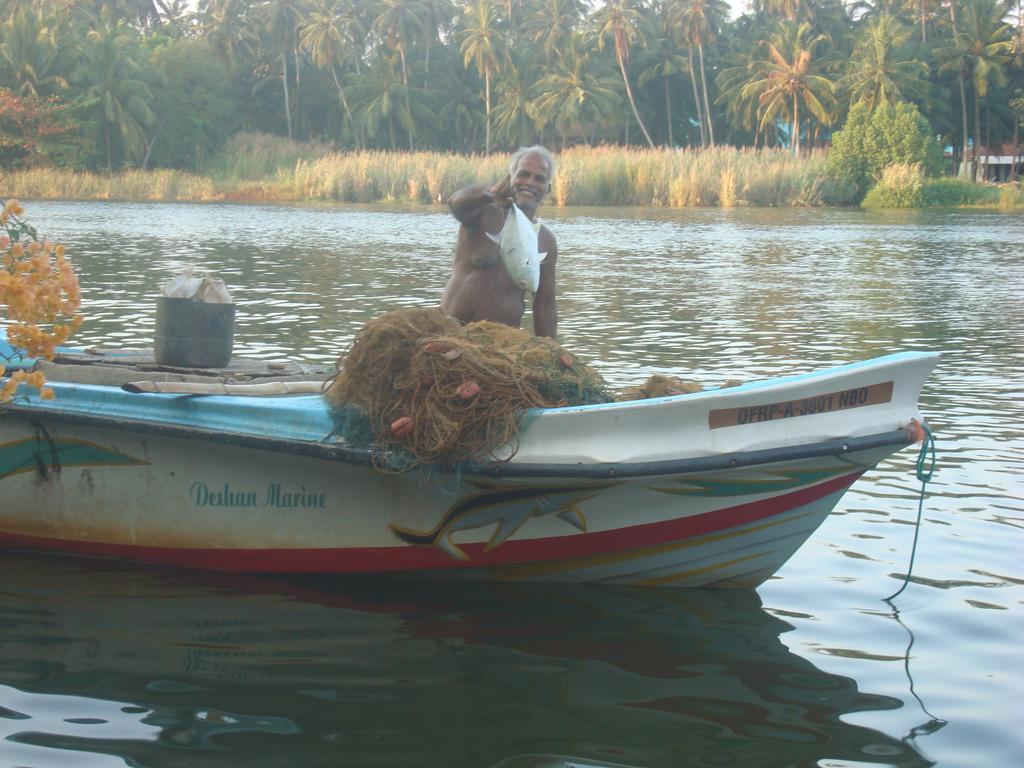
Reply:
x=368, y=456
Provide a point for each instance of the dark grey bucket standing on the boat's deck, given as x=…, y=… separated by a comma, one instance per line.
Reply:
x=194, y=334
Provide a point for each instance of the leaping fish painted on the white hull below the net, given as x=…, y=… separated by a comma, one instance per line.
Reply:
x=506, y=508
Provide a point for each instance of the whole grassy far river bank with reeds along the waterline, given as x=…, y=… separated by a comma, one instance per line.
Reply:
x=724, y=178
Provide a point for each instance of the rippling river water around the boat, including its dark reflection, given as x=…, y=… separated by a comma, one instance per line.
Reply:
x=109, y=665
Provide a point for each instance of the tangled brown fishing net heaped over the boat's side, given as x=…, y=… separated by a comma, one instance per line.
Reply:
x=426, y=391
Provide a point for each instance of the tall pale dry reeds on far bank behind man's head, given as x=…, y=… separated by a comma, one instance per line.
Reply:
x=586, y=177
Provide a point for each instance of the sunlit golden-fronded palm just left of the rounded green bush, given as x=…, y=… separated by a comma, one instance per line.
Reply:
x=786, y=76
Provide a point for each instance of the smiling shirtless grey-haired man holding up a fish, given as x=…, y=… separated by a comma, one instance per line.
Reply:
x=481, y=287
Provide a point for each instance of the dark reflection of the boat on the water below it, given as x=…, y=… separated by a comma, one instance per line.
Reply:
x=113, y=664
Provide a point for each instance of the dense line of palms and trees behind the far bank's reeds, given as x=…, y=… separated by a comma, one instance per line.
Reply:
x=109, y=84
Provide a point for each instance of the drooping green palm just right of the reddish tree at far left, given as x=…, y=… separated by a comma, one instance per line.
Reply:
x=111, y=83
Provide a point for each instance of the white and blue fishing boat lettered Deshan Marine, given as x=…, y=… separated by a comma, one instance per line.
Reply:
x=717, y=488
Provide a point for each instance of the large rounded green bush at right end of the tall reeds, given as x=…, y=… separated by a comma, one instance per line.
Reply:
x=871, y=142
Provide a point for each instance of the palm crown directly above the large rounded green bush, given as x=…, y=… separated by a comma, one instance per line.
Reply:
x=877, y=73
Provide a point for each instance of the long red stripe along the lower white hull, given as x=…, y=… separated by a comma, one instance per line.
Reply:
x=408, y=558
